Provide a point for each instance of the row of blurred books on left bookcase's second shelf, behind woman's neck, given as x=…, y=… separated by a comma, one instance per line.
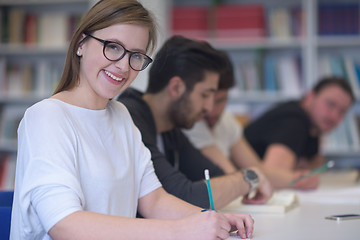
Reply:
x=29, y=78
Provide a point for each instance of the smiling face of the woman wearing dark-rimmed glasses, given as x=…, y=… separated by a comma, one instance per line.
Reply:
x=102, y=78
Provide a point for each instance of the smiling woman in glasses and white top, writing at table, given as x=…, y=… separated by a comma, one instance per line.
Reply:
x=82, y=169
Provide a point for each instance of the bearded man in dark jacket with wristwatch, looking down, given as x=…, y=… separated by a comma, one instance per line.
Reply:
x=182, y=82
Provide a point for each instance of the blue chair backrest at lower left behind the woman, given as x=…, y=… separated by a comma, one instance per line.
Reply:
x=6, y=199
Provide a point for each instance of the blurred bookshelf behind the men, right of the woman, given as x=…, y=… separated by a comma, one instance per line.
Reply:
x=289, y=46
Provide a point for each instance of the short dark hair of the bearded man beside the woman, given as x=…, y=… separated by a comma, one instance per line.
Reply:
x=186, y=58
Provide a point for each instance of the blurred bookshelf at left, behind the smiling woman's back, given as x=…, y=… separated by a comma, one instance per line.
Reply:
x=34, y=36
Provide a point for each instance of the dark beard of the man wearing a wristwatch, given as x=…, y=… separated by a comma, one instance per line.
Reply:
x=179, y=112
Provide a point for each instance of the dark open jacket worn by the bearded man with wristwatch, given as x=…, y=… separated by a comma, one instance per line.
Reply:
x=181, y=169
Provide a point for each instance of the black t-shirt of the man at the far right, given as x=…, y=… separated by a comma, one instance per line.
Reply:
x=286, y=124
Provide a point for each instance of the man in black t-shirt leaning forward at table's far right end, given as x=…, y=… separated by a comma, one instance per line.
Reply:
x=288, y=136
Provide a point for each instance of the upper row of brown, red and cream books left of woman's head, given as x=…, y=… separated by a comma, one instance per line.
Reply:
x=17, y=26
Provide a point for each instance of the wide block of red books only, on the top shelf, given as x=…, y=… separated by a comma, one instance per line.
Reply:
x=222, y=21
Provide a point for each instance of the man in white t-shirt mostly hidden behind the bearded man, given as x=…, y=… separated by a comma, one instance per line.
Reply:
x=219, y=136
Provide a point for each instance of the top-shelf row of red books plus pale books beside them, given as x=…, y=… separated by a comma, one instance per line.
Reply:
x=246, y=20
